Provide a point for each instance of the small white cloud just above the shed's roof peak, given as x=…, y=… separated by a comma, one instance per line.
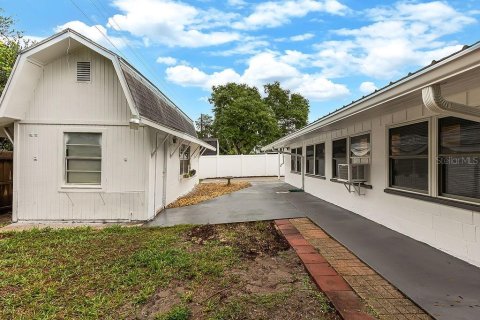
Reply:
x=96, y=33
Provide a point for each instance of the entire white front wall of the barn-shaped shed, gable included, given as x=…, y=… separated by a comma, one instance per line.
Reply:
x=59, y=103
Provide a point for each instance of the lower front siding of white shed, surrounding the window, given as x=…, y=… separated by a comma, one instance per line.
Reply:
x=41, y=197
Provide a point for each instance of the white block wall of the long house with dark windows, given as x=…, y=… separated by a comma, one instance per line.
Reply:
x=447, y=228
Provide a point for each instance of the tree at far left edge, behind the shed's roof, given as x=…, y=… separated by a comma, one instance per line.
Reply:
x=11, y=43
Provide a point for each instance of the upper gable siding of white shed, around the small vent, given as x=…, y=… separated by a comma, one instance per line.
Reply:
x=58, y=97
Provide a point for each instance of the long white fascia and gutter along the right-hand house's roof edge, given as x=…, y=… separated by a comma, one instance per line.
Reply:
x=455, y=65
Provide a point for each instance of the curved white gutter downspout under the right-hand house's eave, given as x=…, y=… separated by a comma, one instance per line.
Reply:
x=434, y=101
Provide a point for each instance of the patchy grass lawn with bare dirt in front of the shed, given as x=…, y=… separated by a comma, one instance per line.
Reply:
x=241, y=271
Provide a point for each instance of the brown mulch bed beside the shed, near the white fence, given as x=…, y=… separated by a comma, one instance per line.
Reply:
x=207, y=191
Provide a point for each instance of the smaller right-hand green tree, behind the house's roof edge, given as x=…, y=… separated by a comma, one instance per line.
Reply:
x=291, y=110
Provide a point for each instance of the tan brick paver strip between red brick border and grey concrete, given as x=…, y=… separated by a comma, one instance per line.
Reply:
x=383, y=298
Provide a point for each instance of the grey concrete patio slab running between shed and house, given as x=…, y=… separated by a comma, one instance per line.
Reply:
x=444, y=286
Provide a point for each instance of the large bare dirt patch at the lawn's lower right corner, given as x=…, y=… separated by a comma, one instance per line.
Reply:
x=267, y=287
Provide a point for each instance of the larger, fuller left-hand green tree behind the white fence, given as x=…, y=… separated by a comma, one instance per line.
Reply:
x=243, y=121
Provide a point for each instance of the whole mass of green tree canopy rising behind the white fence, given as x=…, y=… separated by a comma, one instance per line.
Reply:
x=244, y=121
